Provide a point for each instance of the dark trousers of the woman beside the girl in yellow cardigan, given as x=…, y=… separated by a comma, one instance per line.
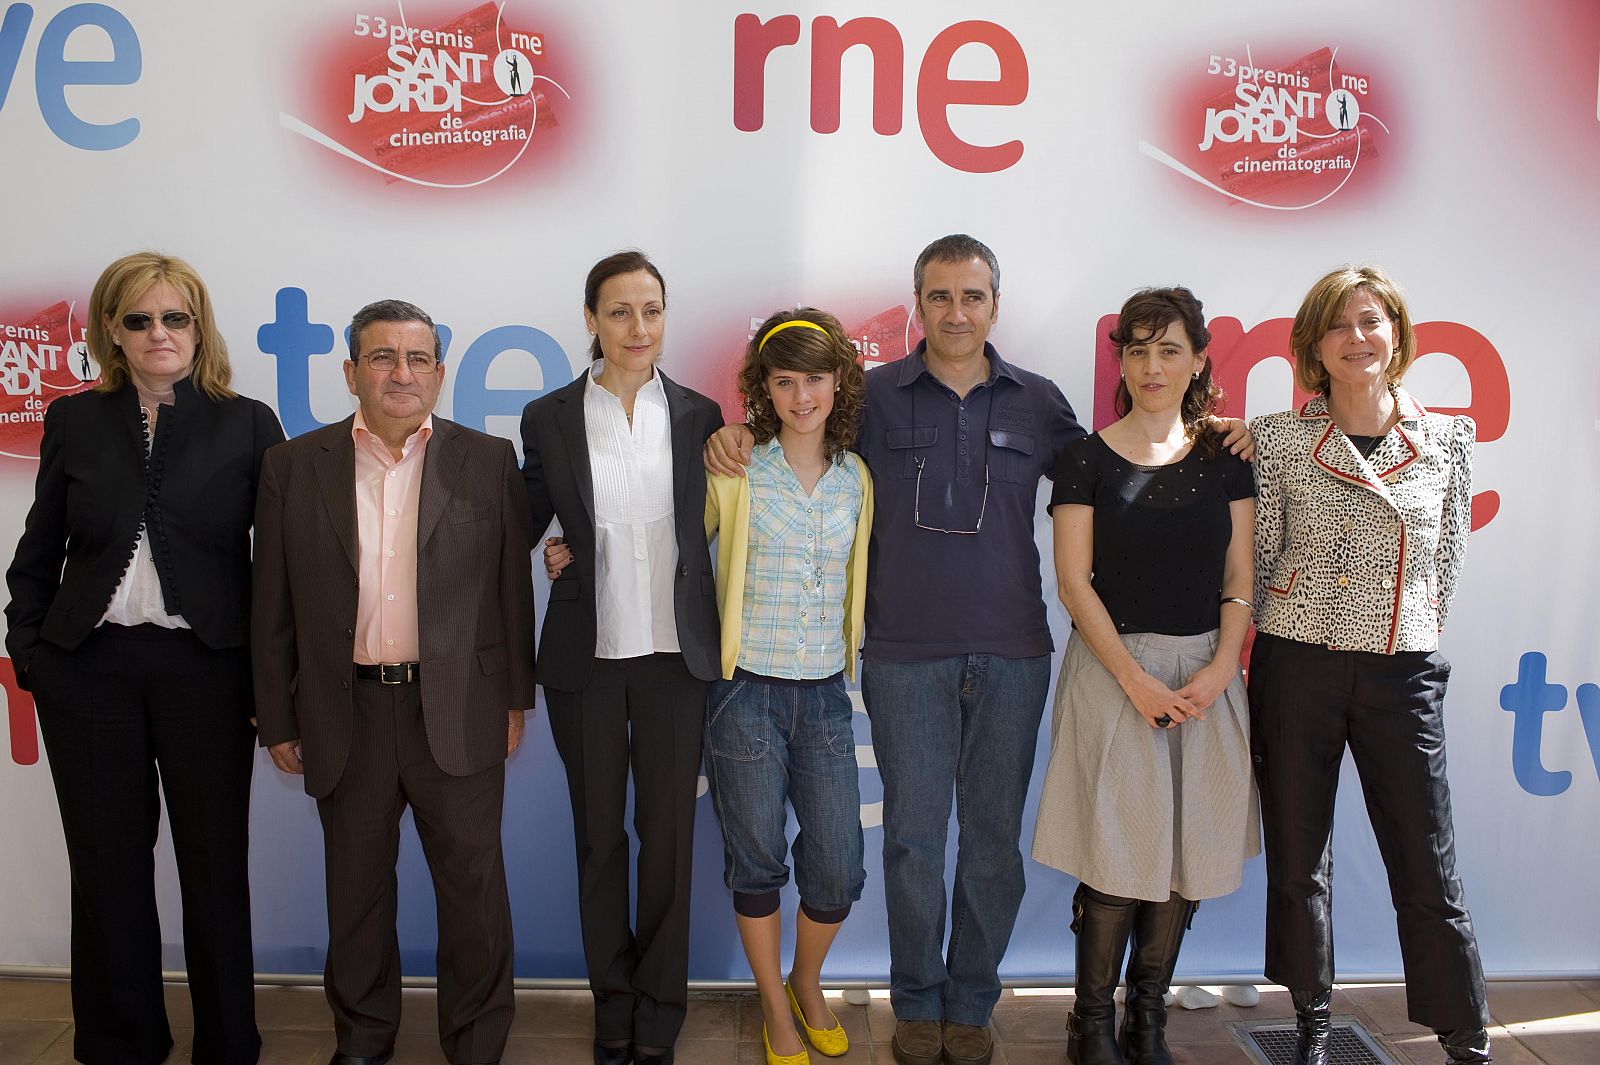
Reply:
x=647, y=716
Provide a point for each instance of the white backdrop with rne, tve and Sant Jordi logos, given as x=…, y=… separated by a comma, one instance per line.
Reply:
x=1066, y=137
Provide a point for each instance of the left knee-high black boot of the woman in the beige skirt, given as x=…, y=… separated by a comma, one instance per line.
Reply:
x=1102, y=925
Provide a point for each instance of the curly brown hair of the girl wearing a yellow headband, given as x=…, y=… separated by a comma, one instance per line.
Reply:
x=825, y=349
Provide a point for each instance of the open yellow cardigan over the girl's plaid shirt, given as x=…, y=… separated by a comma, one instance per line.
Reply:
x=729, y=519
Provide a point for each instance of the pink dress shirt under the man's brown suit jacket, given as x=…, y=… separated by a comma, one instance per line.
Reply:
x=388, y=493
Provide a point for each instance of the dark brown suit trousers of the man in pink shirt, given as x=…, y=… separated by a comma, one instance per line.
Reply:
x=458, y=820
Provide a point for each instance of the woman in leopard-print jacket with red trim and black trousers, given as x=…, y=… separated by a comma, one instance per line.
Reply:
x=1364, y=519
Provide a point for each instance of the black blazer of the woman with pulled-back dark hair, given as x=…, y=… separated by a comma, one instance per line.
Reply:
x=556, y=471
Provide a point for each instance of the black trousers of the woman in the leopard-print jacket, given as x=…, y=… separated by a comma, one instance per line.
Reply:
x=1306, y=703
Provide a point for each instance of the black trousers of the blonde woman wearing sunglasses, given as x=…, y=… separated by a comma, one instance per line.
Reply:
x=132, y=716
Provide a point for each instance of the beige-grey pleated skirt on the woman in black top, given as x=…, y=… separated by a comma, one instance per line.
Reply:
x=1137, y=812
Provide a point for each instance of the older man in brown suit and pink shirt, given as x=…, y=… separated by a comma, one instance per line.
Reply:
x=393, y=636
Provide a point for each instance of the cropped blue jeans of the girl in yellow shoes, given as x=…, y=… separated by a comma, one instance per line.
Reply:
x=764, y=744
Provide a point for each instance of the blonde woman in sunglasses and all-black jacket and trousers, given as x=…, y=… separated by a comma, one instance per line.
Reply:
x=129, y=621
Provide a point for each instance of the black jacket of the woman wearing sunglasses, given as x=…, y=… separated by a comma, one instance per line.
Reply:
x=196, y=497
